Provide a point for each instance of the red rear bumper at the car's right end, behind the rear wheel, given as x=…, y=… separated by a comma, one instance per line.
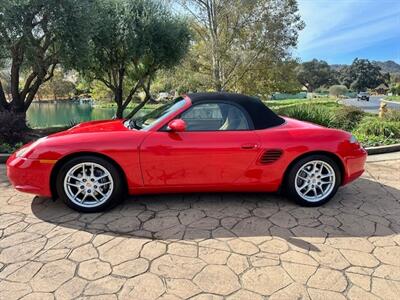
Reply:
x=354, y=165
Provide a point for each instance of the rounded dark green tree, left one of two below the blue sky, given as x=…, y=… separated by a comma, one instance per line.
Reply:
x=315, y=73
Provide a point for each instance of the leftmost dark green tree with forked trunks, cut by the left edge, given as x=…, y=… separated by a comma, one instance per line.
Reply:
x=36, y=36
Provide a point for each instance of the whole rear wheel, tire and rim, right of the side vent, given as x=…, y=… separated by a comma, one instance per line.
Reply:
x=313, y=180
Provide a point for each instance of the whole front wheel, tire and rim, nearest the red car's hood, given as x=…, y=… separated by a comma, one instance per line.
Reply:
x=89, y=184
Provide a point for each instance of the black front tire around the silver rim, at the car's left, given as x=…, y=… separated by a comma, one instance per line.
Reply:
x=117, y=193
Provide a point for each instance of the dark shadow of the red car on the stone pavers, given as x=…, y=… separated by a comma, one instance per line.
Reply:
x=362, y=209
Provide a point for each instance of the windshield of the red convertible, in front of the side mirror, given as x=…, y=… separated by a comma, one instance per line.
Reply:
x=144, y=120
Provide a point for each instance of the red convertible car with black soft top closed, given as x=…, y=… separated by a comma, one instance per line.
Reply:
x=197, y=143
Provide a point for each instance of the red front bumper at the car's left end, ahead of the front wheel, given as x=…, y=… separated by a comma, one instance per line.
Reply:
x=30, y=175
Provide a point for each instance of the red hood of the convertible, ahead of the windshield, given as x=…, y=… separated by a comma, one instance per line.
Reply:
x=95, y=126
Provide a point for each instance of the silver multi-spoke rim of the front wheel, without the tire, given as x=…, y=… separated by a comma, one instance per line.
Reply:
x=88, y=184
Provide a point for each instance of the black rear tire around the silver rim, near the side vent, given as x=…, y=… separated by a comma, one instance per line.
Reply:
x=289, y=186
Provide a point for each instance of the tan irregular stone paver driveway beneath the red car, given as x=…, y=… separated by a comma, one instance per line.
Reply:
x=207, y=246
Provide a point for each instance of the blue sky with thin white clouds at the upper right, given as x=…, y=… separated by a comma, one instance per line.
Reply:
x=338, y=31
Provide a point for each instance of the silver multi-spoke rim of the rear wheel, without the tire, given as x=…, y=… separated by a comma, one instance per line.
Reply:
x=315, y=180
